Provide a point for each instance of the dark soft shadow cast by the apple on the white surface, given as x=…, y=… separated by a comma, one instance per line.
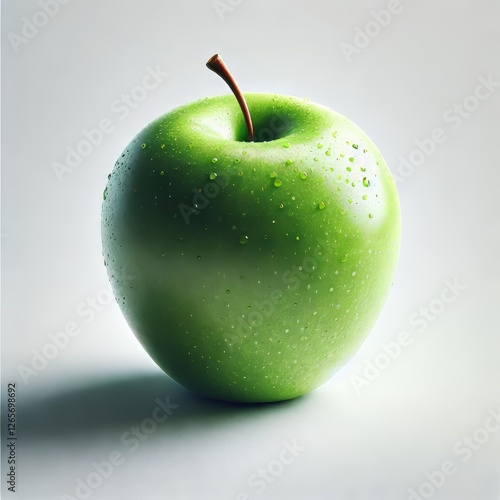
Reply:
x=119, y=403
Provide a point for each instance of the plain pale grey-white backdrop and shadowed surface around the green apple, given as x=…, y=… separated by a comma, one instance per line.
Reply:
x=373, y=441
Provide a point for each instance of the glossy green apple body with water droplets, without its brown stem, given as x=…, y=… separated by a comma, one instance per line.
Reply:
x=255, y=284
